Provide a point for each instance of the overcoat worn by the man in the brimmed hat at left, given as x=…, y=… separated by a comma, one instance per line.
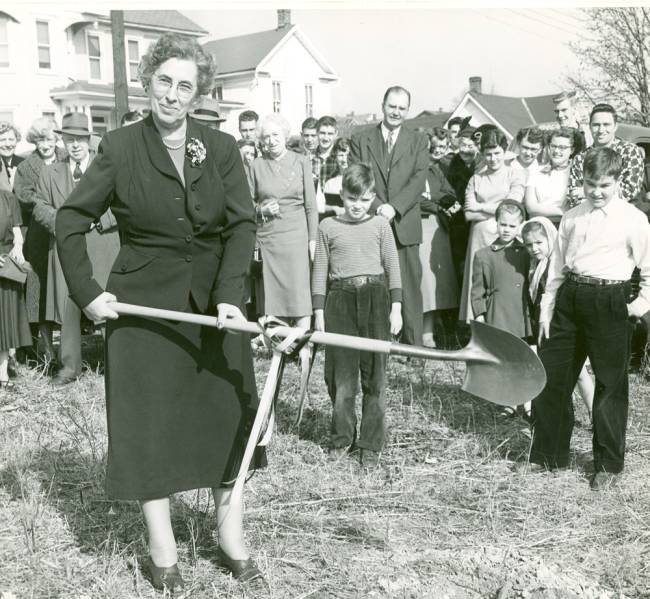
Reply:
x=54, y=187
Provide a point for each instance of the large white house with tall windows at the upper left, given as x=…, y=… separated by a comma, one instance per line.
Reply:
x=54, y=61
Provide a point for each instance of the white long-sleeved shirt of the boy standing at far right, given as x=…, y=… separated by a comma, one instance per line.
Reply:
x=605, y=243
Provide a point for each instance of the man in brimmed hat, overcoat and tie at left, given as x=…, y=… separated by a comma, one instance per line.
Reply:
x=55, y=185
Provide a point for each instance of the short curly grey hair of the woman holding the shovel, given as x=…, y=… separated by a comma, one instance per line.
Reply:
x=173, y=45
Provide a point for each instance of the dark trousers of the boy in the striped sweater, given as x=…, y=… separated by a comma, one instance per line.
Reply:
x=357, y=306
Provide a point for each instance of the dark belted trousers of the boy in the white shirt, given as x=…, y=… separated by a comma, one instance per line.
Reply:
x=589, y=320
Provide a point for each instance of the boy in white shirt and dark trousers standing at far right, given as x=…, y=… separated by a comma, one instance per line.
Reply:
x=584, y=312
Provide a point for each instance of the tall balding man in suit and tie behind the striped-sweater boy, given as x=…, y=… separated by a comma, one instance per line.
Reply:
x=399, y=158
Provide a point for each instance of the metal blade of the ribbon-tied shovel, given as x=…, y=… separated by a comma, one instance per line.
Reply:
x=513, y=378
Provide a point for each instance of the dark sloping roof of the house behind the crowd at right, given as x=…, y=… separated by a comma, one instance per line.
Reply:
x=515, y=113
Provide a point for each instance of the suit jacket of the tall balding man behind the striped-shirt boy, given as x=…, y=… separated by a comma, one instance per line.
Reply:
x=402, y=182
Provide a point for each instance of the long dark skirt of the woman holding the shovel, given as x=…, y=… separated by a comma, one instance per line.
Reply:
x=180, y=401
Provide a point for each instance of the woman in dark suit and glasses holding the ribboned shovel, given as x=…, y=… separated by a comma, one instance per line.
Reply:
x=180, y=398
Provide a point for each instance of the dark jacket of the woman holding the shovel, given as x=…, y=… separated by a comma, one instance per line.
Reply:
x=178, y=240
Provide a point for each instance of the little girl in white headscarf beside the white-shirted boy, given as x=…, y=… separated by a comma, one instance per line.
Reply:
x=539, y=235
